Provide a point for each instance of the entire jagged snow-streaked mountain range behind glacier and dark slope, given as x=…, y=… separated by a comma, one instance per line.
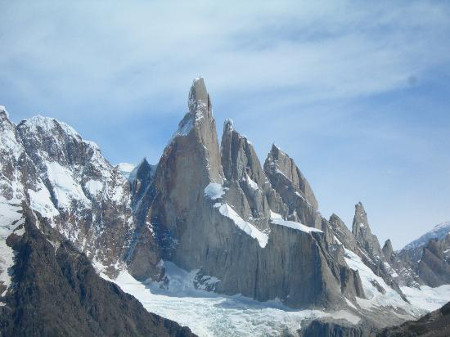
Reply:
x=209, y=207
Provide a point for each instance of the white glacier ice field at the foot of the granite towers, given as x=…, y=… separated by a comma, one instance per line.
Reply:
x=210, y=314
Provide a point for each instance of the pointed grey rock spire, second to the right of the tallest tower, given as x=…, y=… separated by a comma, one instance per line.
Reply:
x=294, y=189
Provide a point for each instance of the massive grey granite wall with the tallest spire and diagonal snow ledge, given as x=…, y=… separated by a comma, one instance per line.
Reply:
x=211, y=211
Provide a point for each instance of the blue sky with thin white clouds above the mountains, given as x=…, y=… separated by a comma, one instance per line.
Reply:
x=356, y=92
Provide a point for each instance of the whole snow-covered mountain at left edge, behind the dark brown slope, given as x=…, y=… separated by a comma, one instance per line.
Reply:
x=69, y=184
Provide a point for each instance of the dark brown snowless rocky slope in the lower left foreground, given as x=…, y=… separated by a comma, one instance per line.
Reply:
x=58, y=293
